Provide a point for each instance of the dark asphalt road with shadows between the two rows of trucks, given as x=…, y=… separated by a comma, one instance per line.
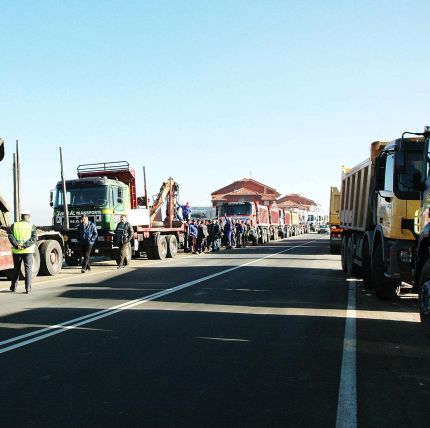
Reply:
x=269, y=336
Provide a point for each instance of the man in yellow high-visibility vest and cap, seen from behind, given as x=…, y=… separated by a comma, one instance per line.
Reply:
x=23, y=238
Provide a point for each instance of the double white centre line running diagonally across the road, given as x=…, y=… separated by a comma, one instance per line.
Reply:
x=35, y=336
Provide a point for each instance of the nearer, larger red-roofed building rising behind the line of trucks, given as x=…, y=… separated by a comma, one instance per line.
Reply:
x=245, y=190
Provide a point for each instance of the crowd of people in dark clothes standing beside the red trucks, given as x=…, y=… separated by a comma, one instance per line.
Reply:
x=209, y=235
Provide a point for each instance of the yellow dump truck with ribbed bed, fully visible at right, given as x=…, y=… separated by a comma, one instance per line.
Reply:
x=377, y=209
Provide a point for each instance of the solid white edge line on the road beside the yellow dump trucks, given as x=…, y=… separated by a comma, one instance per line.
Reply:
x=347, y=400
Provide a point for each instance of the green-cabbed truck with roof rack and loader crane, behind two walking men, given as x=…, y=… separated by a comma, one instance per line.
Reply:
x=104, y=191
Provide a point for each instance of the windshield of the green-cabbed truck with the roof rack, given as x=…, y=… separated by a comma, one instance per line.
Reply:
x=80, y=196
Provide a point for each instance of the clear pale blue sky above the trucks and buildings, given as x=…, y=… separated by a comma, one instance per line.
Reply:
x=208, y=92
